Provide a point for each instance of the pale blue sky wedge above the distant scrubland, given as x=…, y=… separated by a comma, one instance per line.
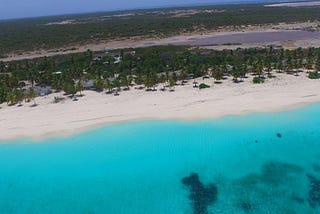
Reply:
x=10, y=9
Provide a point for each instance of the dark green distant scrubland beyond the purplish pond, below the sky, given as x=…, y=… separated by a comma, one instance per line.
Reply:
x=33, y=34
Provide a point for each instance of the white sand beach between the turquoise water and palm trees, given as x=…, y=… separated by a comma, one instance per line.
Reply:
x=185, y=103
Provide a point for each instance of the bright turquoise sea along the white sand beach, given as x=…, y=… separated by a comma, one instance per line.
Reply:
x=258, y=163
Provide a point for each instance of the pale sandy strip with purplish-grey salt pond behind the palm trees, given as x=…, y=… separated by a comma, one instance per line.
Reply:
x=286, y=35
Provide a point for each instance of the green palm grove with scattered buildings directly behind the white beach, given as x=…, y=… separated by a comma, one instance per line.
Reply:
x=149, y=67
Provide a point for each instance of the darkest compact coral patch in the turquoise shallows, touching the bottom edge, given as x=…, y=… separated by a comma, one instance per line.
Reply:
x=200, y=195
